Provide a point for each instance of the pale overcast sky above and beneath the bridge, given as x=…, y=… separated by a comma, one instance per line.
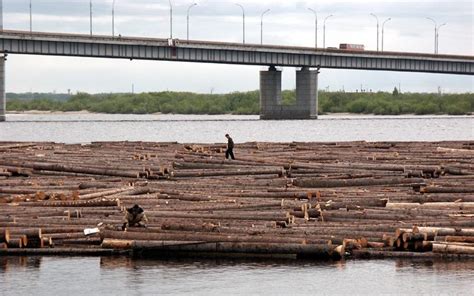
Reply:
x=288, y=23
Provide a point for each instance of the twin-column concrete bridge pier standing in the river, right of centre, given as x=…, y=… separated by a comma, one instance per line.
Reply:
x=306, y=106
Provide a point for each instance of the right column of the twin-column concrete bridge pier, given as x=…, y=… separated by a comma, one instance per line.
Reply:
x=307, y=93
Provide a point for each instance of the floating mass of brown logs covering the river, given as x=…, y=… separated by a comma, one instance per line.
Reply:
x=277, y=199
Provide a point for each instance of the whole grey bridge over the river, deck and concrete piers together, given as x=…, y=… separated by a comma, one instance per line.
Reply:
x=308, y=62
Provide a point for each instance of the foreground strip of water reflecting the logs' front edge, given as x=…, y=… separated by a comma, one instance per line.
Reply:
x=127, y=276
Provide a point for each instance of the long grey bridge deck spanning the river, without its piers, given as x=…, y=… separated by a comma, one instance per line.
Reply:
x=59, y=44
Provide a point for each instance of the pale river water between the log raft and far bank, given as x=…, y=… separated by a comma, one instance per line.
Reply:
x=84, y=128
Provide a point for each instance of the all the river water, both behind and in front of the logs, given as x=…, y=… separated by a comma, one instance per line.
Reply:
x=124, y=276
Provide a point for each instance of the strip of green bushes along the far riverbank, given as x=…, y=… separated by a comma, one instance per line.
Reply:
x=381, y=103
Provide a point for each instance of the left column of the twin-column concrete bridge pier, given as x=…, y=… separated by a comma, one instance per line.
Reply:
x=270, y=93
